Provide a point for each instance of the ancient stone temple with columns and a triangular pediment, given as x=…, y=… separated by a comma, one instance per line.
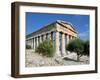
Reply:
x=60, y=32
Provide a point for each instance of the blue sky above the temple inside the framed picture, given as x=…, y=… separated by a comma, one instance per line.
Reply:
x=35, y=21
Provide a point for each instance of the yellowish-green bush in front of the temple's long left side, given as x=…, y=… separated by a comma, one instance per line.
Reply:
x=45, y=48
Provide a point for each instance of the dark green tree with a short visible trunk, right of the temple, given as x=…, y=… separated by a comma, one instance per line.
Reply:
x=76, y=46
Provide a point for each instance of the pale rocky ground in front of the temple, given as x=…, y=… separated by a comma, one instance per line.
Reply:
x=37, y=60
